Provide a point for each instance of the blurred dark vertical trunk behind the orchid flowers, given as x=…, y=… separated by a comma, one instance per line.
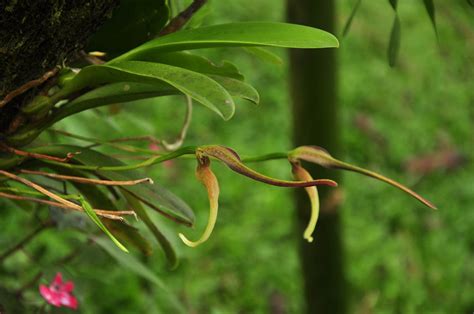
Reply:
x=313, y=75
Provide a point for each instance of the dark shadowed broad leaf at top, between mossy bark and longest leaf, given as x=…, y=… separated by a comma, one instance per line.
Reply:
x=133, y=22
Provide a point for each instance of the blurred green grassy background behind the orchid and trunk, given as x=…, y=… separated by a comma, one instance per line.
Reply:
x=400, y=256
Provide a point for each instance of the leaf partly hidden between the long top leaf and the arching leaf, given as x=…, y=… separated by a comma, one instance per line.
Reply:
x=193, y=62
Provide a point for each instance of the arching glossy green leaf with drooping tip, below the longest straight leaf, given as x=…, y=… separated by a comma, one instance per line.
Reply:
x=198, y=86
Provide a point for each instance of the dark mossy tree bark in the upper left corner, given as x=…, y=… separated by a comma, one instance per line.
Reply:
x=36, y=36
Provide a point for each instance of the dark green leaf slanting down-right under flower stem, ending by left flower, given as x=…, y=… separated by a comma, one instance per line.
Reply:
x=153, y=195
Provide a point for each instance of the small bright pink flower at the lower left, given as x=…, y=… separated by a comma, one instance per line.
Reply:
x=59, y=293
